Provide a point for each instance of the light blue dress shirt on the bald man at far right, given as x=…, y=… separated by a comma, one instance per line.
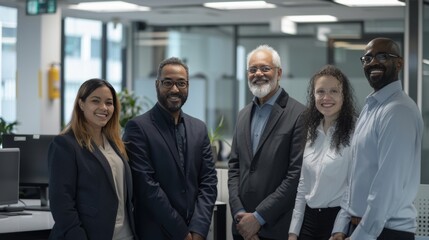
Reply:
x=385, y=168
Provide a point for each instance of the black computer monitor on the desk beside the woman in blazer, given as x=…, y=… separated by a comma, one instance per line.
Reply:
x=33, y=163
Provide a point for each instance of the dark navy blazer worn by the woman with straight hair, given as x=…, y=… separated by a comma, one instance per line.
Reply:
x=82, y=193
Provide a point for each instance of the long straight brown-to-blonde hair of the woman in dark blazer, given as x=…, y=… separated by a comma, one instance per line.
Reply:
x=78, y=124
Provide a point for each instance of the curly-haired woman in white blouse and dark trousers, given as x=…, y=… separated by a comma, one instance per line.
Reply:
x=329, y=121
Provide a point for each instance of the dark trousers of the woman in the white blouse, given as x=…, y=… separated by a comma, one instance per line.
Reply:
x=318, y=223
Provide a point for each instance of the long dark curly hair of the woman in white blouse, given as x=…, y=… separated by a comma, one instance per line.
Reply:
x=346, y=120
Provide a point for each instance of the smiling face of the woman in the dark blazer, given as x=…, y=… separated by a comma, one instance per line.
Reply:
x=98, y=108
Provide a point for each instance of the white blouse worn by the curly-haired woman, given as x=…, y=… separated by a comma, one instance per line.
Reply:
x=323, y=177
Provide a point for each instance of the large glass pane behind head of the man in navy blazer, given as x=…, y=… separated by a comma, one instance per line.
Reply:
x=209, y=53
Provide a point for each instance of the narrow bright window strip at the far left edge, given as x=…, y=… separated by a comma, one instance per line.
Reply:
x=8, y=24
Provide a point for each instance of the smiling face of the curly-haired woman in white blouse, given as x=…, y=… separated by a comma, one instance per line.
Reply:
x=328, y=97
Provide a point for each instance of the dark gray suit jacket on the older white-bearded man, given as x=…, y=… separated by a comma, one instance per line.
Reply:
x=267, y=182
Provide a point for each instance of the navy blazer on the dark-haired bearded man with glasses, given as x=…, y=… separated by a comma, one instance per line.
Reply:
x=170, y=202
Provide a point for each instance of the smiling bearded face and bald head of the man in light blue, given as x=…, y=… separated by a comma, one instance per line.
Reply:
x=381, y=73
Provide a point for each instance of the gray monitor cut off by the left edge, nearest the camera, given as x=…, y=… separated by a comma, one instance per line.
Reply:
x=9, y=176
